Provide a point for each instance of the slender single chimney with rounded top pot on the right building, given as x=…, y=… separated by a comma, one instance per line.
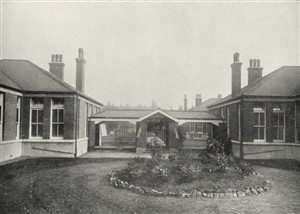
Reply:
x=236, y=75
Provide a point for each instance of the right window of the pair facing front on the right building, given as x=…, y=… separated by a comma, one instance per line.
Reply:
x=278, y=122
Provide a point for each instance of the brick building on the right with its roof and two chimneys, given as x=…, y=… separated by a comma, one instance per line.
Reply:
x=264, y=115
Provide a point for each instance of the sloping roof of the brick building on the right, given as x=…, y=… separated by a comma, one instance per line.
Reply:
x=283, y=82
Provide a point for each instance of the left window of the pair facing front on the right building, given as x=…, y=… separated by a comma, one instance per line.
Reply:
x=259, y=121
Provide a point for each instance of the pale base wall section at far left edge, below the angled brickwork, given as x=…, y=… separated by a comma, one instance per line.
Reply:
x=10, y=149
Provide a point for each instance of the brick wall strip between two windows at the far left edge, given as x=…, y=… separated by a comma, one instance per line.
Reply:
x=9, y=117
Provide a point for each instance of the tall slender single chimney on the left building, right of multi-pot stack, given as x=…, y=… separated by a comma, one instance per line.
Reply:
x=80, y=70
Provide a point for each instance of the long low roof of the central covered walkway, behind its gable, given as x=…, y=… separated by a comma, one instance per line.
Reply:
x=137, y=114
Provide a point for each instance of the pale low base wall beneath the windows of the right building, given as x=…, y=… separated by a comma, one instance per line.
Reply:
x=253, y=150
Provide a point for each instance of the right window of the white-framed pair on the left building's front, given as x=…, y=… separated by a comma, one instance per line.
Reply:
x=57, y=118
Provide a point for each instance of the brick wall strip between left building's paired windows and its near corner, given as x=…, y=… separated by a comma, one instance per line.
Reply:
x=69, y=117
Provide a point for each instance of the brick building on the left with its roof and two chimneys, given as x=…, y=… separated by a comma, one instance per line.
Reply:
x=40, y=114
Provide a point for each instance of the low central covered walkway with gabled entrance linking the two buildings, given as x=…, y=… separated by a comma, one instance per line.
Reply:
x=145, y=129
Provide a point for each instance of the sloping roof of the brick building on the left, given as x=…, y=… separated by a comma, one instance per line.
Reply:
x=25, y=76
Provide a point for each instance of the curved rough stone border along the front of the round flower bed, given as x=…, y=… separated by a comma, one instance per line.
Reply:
x=114, y=181
